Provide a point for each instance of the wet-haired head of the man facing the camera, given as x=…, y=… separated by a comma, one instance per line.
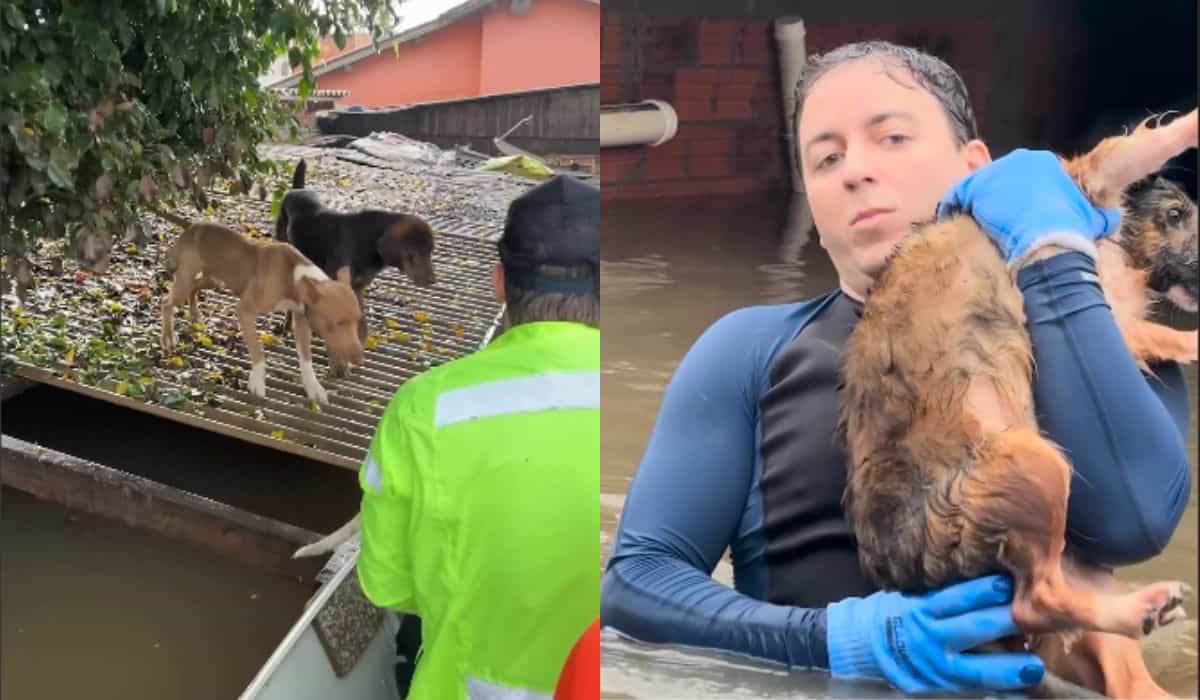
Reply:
x=883, y=133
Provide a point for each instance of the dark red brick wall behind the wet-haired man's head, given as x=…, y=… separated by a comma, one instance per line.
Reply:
x=722, y=77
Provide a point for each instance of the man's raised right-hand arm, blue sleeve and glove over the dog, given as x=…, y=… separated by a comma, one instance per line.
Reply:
x=1123, y=433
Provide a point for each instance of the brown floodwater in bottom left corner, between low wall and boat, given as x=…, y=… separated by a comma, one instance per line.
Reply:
x=94, y=609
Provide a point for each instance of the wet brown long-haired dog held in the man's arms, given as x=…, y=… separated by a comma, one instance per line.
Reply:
x=950, y=477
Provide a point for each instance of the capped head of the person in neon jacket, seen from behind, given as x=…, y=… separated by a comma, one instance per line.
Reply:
x=550, y=255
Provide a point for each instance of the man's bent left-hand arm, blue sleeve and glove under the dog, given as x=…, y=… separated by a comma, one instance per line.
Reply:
x=687, y=502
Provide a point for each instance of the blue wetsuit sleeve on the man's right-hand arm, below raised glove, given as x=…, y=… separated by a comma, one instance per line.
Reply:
x=1123, y=432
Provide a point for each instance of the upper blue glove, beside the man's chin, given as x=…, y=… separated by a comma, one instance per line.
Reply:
x=1027, y=201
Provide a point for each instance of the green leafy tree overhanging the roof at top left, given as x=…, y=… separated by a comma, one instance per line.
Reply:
x=109, y=109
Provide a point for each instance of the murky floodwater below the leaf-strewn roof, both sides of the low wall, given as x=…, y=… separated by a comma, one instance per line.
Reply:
x=97, y=611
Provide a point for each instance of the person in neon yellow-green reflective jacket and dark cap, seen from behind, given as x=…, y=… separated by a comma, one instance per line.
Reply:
x=481, y=511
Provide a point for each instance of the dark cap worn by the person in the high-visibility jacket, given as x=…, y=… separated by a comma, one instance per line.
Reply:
x=551, y=240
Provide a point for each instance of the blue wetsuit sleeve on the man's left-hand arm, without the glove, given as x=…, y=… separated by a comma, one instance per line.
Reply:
x=685, y=506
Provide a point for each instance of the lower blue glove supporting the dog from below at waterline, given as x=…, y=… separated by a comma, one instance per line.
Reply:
x=916, y=643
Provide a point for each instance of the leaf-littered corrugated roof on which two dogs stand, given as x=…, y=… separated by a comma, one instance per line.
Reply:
x=99, y=336
